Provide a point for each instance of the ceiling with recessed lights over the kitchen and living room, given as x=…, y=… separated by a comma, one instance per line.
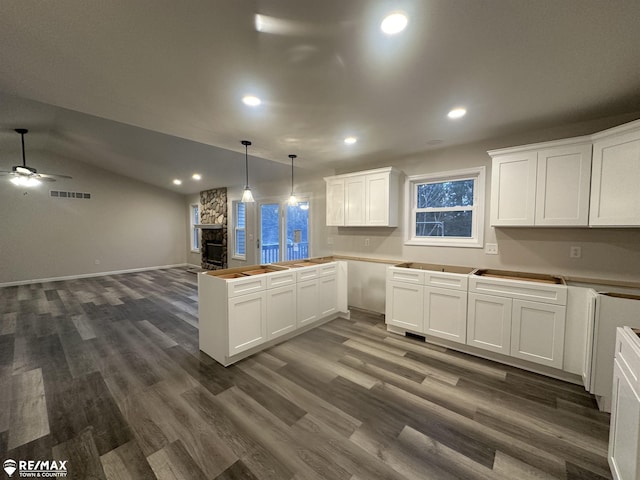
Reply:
x=157, y=83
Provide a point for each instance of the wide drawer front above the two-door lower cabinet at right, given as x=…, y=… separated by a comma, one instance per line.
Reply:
x=522, y=290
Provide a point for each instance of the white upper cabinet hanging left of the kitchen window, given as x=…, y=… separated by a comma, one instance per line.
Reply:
x=368, y=198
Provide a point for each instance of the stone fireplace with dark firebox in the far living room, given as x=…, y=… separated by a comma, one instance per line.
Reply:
x=213, y=241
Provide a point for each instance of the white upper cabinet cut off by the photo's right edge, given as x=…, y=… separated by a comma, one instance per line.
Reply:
x=615, y=184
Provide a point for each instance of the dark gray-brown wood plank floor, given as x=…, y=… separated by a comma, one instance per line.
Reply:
x=106, y=373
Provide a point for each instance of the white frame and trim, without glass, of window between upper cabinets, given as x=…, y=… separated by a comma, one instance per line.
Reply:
x=478, y=174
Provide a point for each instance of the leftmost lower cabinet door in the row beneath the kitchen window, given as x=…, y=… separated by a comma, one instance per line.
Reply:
x=404, y=307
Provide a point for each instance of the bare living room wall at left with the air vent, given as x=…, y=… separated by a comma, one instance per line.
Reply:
x=125, y=225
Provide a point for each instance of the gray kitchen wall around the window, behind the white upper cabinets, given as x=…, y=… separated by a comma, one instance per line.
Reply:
x=606, y=253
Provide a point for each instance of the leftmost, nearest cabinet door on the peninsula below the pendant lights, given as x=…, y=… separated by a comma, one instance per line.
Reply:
x=247, y=321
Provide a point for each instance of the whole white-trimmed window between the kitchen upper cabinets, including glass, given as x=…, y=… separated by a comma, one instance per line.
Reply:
x=446, y=208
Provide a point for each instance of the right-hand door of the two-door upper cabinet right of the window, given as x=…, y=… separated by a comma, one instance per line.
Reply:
x=564, y=178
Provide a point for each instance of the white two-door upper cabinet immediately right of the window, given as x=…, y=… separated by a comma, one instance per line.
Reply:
x=545, y=184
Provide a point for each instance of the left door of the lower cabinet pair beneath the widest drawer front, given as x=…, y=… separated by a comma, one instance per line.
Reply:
x=489, y=322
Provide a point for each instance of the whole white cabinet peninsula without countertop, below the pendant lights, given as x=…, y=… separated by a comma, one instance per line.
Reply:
x=241, y=312
